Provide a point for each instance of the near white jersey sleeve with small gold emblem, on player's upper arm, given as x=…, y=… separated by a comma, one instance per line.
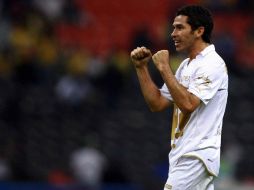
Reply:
x=206, y=82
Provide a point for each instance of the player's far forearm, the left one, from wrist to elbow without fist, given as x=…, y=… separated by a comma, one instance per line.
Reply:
x=150, y=91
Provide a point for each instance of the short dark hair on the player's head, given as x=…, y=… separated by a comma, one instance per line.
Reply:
x=198, y=16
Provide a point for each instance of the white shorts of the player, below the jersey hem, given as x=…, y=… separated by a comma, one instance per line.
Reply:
x=189, y=173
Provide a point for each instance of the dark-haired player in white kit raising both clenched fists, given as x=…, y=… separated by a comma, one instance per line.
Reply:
x=198, y=94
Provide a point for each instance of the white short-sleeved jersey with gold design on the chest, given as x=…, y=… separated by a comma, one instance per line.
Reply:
x=199, y=134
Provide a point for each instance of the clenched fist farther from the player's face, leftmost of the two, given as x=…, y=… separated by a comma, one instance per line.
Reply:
x=140, y=56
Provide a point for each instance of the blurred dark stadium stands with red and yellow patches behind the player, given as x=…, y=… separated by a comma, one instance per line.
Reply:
x=71, y=112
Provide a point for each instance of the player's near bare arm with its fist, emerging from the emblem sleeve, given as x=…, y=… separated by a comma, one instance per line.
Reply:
x=186, y=101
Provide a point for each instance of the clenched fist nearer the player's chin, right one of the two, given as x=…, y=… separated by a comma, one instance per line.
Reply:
x=161, y=59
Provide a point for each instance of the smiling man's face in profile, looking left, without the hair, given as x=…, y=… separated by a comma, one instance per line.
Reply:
x=183, y=36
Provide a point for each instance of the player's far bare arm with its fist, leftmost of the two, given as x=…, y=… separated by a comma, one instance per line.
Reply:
x=140, y=58
